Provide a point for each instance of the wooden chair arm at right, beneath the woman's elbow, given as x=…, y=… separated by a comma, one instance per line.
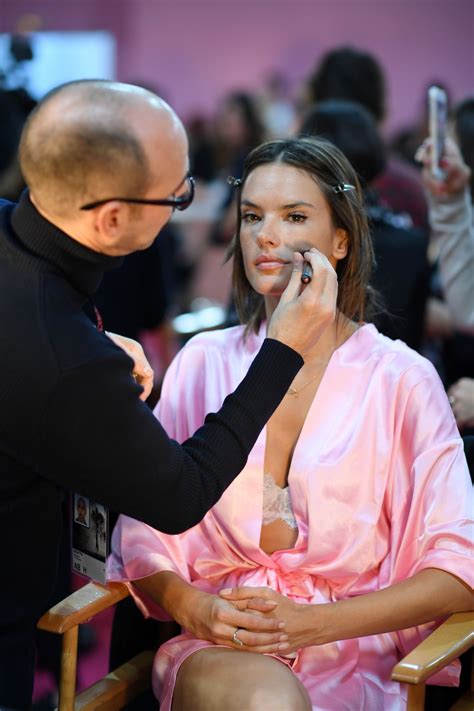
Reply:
x=446, y=643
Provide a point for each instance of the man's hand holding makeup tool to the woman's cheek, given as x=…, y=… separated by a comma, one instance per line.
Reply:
x=305, y=311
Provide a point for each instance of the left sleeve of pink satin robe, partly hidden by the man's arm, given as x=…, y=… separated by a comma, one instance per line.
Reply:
x=138, y=550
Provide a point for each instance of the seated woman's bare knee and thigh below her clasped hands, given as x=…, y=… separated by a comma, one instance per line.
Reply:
x=213, y=679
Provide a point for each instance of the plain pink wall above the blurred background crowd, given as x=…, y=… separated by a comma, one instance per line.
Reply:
x=195, y=50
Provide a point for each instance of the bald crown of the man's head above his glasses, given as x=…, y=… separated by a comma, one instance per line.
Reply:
x=87, y=140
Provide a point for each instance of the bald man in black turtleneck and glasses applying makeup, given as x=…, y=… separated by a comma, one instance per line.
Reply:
x=106, y=164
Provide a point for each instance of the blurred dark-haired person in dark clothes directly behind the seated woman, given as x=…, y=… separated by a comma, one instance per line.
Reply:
x=401, y=275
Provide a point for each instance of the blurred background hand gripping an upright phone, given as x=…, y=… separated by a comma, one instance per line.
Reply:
x=457, y=173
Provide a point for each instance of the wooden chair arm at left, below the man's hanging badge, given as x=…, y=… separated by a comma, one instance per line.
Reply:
x=81, y=606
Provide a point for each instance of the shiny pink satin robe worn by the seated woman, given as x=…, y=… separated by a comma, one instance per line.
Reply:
x=379, y=487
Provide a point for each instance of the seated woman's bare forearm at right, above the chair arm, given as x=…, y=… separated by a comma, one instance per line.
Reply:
x=428, y=595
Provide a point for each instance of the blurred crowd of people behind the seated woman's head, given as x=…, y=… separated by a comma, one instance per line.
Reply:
x=344, y=100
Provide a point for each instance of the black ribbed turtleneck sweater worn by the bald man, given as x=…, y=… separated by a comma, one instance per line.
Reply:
x=71, y=417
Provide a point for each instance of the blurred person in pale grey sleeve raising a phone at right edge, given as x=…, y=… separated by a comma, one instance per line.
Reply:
x=451, y=311
